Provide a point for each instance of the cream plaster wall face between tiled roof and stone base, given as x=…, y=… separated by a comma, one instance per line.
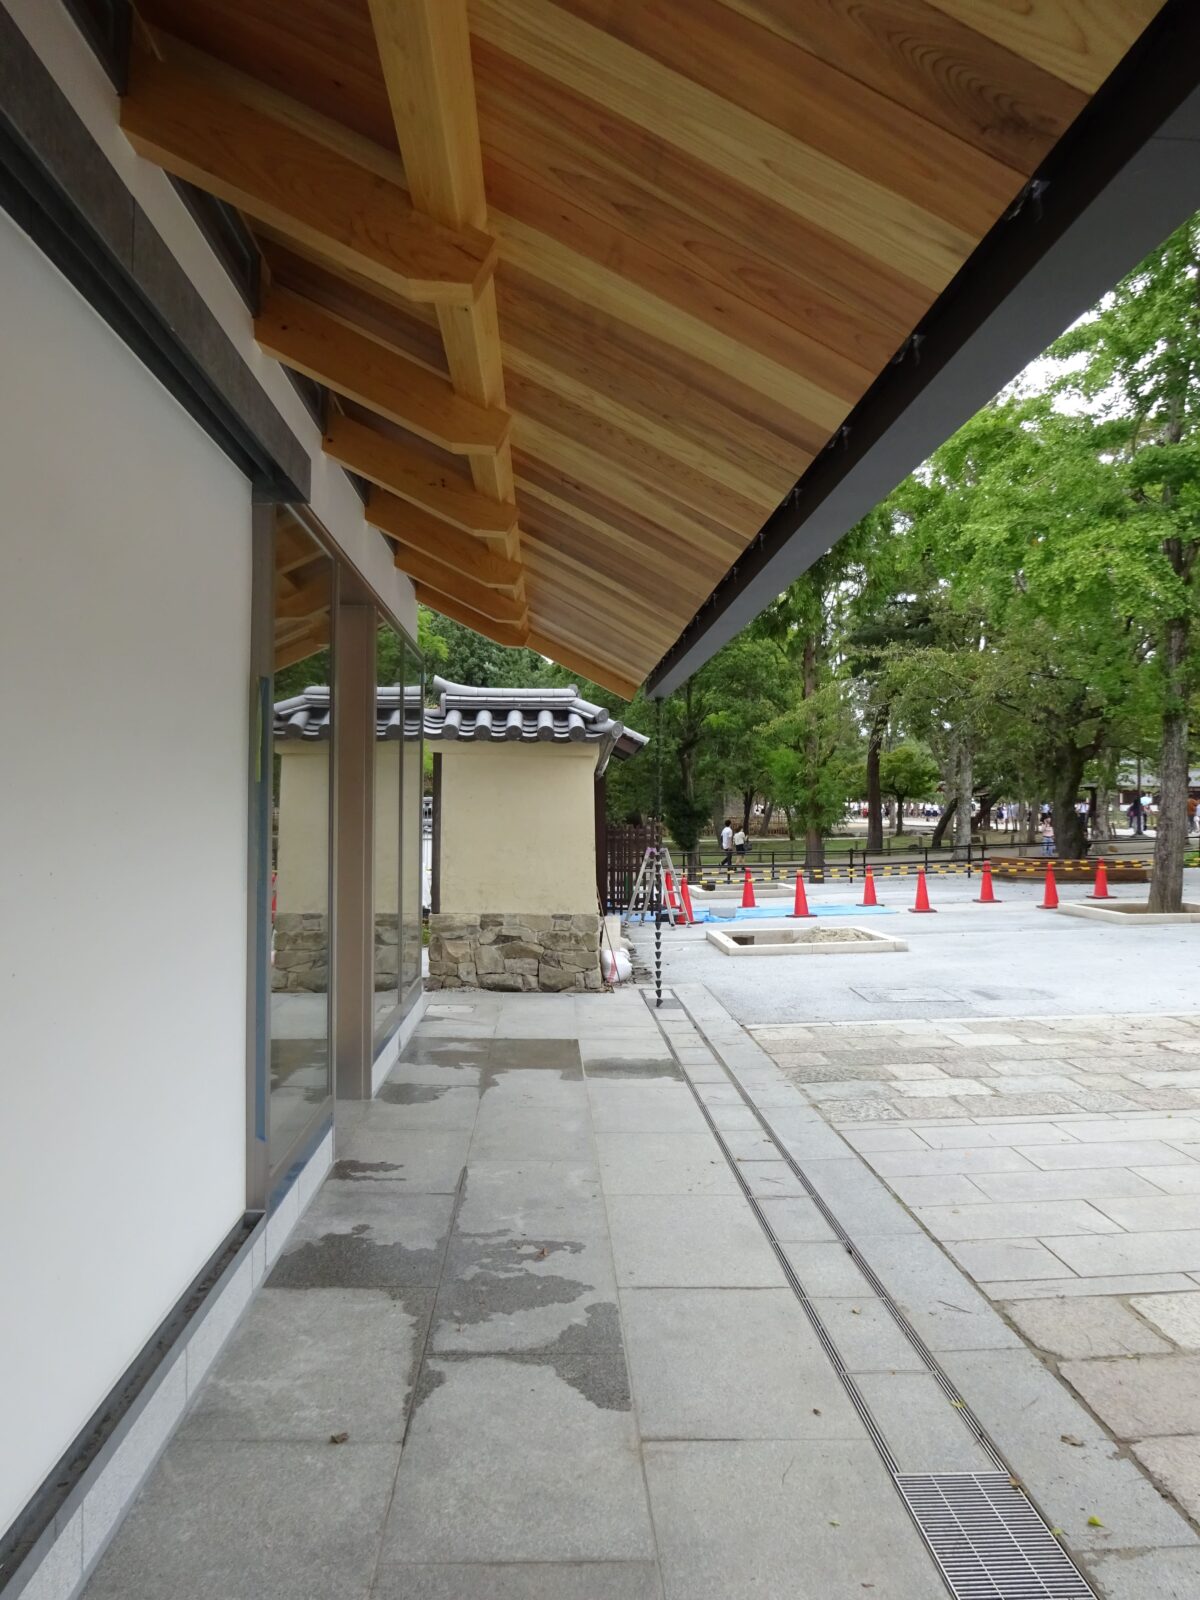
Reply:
x=518, y=828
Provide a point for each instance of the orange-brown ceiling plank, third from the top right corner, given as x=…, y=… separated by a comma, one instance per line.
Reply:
x=818, y=105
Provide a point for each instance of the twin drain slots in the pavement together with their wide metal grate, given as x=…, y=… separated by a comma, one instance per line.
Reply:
x=983, y=1532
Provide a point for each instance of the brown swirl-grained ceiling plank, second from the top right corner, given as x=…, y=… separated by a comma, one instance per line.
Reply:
x=919, y=58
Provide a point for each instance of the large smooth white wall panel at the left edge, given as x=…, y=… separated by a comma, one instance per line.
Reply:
x=124, y=735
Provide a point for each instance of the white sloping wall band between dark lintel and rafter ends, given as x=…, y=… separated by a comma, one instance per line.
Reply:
x=60, y=46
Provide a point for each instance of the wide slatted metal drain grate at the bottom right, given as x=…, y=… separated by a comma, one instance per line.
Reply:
x=988, y=1540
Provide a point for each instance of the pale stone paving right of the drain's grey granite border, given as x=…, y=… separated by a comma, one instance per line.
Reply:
x=1084, y=1228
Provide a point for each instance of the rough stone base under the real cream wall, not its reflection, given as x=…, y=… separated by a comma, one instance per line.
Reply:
x=514, y=951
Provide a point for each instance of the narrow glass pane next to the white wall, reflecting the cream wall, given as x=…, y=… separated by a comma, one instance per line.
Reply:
x=302, y=799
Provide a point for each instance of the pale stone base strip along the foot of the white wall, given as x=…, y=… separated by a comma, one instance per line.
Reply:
x=66, y=1554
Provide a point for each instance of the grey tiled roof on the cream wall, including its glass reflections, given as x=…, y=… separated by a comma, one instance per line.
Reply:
x=463, y=713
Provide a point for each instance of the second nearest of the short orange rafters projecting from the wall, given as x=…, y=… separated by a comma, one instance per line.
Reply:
x=311, y=342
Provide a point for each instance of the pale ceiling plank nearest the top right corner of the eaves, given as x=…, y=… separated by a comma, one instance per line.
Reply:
x=1076, y=41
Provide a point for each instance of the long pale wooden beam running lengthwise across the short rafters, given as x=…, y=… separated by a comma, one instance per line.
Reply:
x=425, y=50
